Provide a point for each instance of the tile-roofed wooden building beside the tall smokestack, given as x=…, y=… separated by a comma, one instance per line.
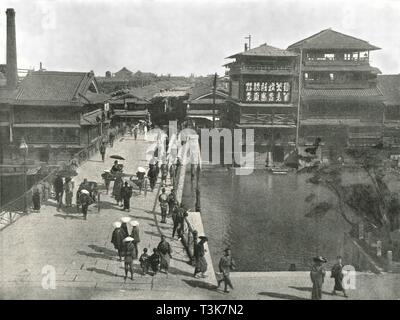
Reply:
x=56, y=113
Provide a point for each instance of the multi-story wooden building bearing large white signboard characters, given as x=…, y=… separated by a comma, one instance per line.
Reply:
x=263, y=95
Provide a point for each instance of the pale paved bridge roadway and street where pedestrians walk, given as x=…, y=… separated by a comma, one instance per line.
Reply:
x=87, y=267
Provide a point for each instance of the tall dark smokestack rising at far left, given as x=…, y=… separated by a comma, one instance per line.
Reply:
x=11, y=72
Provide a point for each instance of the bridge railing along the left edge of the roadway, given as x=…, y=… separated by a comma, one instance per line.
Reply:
x=12, y=211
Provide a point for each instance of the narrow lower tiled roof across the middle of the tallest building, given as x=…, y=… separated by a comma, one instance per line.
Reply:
x=339, y=93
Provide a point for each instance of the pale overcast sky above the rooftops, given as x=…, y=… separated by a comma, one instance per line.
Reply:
x=183, y=37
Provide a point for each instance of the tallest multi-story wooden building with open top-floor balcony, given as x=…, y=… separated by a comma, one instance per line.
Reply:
x=340, y=101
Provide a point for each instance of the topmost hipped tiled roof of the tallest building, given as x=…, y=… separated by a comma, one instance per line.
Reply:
x=330, y=39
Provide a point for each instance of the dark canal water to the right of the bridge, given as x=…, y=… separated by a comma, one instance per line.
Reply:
x=261, y=217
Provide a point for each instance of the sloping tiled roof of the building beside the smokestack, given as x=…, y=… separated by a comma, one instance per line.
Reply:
x=46, y=87
